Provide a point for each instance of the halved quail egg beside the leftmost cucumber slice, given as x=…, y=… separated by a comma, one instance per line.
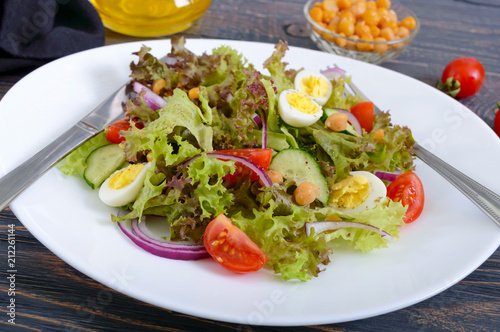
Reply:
x=123, y=186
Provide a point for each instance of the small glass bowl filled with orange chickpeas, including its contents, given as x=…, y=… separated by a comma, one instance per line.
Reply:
x=372, y=31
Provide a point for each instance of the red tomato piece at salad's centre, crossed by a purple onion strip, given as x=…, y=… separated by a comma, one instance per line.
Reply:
x=261, y=157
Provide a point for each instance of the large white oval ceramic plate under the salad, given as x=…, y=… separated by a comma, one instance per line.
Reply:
x=449, y=241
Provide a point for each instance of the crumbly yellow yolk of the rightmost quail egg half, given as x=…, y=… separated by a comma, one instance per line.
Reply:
x=350, y=192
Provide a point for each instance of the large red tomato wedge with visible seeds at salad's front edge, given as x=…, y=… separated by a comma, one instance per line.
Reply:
x=231, y=247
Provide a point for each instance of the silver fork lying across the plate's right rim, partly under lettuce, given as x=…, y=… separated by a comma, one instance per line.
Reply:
x=482, y=197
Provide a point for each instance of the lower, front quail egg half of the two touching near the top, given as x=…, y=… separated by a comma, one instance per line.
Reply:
x=297, y=109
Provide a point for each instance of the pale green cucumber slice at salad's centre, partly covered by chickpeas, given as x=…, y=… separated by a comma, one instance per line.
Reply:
x=300, y=166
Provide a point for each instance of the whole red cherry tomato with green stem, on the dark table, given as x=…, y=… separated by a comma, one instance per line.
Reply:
x=462, y=77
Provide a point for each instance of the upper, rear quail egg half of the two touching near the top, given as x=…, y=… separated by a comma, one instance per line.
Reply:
x=315, y=85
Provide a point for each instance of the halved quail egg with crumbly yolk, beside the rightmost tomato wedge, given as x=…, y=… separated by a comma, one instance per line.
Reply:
x=359, y=192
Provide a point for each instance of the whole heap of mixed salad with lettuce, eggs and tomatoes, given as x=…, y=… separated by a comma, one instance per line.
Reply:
x=252, y=169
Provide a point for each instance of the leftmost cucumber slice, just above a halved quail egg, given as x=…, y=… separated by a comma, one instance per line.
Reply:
x=101, y=163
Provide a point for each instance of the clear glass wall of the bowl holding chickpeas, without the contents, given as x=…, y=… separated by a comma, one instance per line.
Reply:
x=329, y=41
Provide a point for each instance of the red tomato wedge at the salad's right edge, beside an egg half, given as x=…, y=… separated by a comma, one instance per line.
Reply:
x=408, y=189
